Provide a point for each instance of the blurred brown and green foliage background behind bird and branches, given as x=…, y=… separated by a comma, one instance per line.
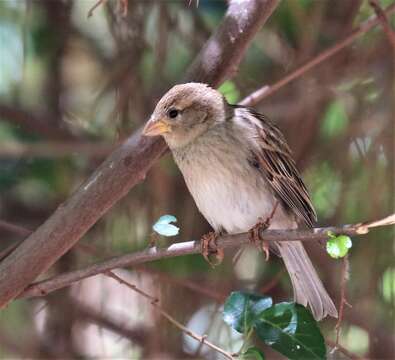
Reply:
x=72, y=88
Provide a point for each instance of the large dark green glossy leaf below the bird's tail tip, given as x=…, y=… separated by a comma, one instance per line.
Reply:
x=290, y=329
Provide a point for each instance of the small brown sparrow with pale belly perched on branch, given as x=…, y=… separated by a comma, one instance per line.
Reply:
x=239, y=170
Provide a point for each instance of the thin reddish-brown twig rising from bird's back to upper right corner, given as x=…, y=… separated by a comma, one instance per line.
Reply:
x=268, y=90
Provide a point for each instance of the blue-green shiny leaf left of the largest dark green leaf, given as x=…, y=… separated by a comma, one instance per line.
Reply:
x=241, y=309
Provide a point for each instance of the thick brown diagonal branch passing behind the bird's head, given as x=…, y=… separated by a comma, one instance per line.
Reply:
x=127, y=165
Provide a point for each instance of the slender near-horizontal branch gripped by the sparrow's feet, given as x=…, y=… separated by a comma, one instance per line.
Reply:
x=193, y=247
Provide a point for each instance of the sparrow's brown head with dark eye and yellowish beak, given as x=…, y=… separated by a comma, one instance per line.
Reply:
x=185, y=112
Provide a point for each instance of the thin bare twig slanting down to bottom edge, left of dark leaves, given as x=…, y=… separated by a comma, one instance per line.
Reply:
x=155, y=303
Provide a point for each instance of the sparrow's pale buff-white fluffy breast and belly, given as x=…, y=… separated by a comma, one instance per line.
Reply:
x=229, y=192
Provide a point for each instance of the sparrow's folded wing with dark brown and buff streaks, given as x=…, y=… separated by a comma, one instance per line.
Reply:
x=274, y=158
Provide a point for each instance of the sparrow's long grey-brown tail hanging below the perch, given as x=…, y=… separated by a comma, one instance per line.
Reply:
x=308, y=288
